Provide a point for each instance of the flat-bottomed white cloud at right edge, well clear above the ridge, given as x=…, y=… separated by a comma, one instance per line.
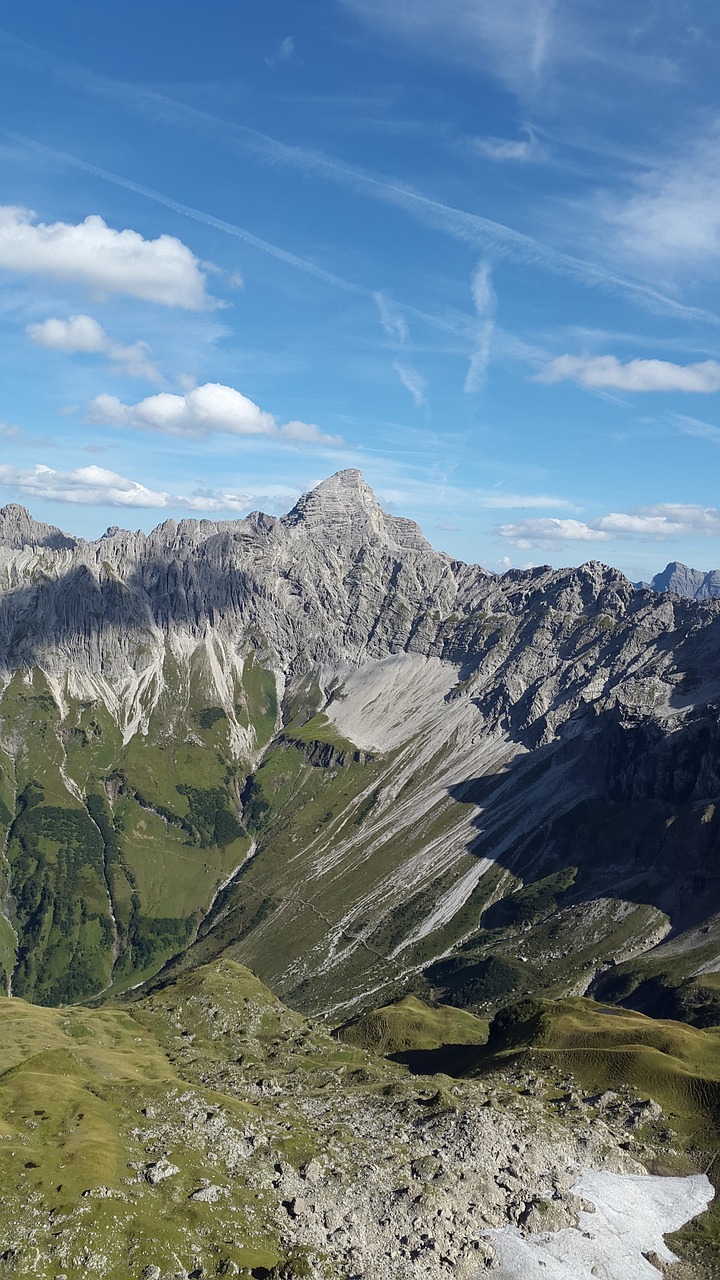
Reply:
x=637, y=376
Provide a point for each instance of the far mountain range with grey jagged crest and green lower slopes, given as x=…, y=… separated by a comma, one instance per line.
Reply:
x=356, y=765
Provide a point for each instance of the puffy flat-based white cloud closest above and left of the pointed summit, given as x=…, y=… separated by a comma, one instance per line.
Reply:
x=202, y=412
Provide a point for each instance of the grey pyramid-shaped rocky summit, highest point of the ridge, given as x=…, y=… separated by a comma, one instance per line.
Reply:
x=345, y=509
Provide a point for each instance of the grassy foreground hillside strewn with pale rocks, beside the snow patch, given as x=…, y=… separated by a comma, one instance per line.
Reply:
x=207, y=1130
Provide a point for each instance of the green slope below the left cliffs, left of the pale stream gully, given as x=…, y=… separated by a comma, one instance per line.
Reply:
x=171, y=836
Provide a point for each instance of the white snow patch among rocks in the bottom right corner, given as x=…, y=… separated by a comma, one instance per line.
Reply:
x=632, y=1217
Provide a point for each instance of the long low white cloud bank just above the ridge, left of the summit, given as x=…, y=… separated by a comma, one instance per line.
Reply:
x=95, y=486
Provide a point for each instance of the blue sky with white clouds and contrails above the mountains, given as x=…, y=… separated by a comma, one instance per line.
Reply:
x=472, y=249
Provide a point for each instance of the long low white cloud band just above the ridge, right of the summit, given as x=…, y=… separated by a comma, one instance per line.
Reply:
x=666, y=520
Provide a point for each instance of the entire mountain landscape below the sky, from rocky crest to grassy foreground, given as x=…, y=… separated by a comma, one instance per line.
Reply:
x=326, y=860
